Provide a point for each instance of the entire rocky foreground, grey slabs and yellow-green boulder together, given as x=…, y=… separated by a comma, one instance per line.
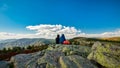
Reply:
x=68, y=56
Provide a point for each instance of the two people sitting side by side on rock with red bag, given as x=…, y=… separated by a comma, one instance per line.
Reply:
x=61, y=40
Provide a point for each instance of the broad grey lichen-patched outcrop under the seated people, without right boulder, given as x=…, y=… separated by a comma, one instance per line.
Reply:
x=58, y=56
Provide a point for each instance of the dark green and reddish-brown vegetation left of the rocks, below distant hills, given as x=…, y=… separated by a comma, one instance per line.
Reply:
x=7, y=53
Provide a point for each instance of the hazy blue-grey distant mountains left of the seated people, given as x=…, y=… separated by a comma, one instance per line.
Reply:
x=24, y=42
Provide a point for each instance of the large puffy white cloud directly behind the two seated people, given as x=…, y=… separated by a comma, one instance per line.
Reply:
x=50, y=31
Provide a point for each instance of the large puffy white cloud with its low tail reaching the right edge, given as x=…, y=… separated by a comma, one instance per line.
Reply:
x=70, y=32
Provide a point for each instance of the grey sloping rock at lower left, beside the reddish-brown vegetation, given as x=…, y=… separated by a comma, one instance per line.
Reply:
x=21, y=60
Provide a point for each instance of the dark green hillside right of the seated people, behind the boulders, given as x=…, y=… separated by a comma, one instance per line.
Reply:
x=90, y=41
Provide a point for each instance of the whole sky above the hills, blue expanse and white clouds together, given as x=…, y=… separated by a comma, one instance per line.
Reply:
x=47, y=18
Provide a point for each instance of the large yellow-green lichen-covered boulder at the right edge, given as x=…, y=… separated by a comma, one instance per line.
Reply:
x=107, y=55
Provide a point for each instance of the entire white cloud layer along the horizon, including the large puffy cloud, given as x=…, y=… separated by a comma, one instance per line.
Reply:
x=50, y=31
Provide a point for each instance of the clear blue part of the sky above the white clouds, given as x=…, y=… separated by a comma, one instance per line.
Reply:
x=90, y=16
